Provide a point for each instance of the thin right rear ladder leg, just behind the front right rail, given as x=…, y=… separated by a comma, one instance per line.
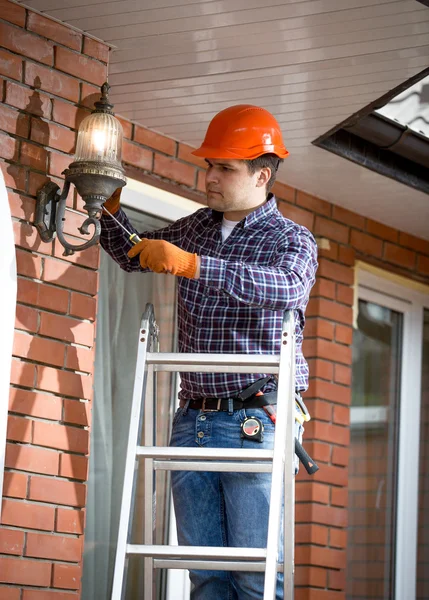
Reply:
x=289, y=479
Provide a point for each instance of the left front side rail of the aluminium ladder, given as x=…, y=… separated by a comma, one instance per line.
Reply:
x=130, y=461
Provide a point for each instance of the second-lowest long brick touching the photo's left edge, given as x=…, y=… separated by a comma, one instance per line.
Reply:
x=27, y=515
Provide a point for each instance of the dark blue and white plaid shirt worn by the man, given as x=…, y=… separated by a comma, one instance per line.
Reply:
x=266, y=265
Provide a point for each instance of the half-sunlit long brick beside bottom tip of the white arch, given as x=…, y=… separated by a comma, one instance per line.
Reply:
x=35, y=460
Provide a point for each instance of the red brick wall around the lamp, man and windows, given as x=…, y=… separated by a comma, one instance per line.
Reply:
x=48, y=78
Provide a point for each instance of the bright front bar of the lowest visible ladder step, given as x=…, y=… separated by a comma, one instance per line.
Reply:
x=198, y=552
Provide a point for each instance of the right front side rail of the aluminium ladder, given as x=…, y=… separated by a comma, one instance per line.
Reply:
x=278, y=484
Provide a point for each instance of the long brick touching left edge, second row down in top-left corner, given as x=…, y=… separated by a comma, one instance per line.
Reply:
x=26, y=44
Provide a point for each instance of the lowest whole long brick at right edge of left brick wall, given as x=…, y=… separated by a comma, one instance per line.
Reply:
x=40, y=545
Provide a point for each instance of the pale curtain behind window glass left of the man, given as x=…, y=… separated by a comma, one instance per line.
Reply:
x=122, y=299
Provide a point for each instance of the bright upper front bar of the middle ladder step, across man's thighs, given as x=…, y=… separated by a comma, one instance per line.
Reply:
x=204, y=454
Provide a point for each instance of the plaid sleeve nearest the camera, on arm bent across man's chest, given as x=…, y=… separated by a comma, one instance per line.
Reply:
x=284, y=285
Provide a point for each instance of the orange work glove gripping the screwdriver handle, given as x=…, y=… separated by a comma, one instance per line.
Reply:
x=162, y=257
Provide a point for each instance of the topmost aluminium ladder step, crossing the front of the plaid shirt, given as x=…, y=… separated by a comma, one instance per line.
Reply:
x=213, y=363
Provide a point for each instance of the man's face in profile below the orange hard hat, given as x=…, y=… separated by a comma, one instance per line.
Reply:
x=230, y=186
